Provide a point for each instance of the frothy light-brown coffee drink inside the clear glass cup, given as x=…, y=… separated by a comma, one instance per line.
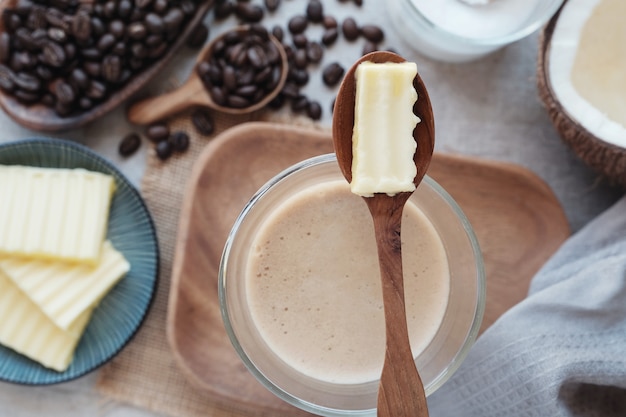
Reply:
x=314, y=290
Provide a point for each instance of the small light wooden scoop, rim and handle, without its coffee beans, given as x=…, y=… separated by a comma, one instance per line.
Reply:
x=193, y=92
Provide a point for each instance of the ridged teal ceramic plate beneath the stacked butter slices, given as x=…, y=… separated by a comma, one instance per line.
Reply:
x=122, y=311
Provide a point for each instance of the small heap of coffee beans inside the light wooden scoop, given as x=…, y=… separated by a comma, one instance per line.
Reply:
x=243, y=67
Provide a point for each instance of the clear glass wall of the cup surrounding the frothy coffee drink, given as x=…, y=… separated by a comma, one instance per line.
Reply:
x=436, y=363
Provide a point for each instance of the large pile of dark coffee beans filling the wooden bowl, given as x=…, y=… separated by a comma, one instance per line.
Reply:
x=71, y=55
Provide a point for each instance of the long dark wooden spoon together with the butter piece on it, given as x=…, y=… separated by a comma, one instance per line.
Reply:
x=401, y=392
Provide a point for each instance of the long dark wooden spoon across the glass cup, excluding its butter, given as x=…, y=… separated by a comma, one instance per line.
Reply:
x=401, y=392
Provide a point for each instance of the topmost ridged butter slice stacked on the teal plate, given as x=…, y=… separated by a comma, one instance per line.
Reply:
x=53, y=213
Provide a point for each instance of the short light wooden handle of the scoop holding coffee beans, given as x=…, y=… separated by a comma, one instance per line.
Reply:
x=160, y=107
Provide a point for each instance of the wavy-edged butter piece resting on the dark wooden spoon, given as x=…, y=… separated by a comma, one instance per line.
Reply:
x=382, y=142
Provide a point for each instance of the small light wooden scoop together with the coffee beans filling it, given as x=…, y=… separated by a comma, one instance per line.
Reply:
x=238, y=72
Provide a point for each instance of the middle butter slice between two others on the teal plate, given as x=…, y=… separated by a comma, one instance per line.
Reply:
x=65, y=291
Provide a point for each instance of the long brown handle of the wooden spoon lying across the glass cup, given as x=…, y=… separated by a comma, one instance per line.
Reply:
x=401, y=392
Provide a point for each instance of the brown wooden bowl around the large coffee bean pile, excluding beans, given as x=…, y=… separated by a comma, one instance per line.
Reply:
x=43, y=118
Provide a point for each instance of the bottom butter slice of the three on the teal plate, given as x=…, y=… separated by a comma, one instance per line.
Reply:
x=27, y=330
